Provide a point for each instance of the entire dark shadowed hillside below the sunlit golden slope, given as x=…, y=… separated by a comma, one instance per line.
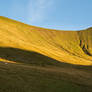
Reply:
x=41, y=73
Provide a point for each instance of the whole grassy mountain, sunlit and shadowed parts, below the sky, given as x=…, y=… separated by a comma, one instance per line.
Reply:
x=34, y=59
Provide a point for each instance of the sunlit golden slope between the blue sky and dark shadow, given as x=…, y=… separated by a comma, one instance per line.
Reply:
x=73, y=47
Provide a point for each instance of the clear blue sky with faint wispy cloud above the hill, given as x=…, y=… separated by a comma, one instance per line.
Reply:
x=54, y=14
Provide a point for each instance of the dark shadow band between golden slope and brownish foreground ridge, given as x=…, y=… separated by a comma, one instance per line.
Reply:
x=30, y=57
